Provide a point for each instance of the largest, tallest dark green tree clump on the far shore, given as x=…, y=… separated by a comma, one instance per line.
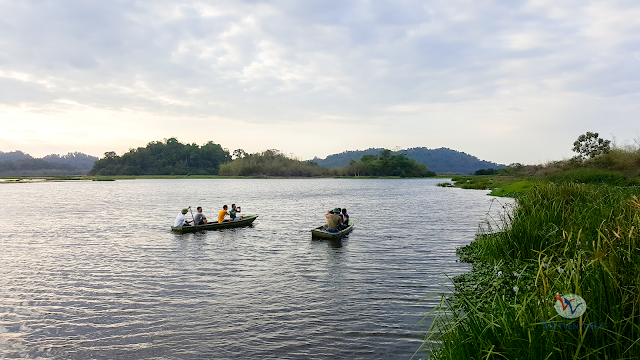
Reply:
x=167, y=157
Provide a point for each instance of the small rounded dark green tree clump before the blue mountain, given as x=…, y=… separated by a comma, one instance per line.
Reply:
x=386, y=164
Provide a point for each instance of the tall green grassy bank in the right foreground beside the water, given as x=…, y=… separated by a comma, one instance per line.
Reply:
x=563, y=238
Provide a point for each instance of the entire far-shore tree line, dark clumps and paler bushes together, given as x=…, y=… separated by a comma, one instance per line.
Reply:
x=171, y=157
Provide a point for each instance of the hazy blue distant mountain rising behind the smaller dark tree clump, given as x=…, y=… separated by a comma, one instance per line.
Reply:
x=442, y=160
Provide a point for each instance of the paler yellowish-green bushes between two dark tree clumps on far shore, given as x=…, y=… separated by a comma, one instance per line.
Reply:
x=270, y=163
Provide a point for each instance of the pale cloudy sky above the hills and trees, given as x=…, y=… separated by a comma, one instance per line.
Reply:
x=506, y=81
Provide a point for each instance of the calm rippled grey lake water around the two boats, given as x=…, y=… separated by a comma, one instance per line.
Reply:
x=92, y=270
